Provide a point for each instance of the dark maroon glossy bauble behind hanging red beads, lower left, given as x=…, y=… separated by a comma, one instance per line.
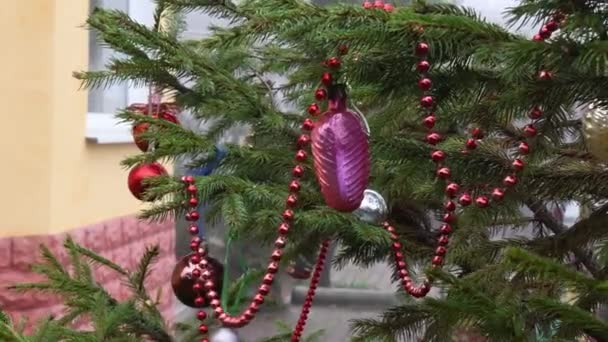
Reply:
x=183, y=282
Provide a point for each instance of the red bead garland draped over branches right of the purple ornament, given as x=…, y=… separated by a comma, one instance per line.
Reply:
x=452, y=189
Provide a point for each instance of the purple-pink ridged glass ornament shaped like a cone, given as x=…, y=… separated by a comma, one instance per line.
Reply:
x=340, y=149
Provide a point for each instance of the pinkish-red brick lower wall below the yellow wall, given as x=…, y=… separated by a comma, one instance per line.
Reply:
x=122, y=240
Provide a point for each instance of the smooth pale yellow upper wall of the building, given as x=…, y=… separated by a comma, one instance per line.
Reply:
x=52, y=180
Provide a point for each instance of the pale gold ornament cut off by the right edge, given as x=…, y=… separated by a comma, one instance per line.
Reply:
x=595, y=131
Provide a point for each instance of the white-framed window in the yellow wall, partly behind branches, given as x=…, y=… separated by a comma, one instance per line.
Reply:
x=101, y=125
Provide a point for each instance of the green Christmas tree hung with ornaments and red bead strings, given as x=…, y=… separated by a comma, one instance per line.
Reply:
x=477, y=137
